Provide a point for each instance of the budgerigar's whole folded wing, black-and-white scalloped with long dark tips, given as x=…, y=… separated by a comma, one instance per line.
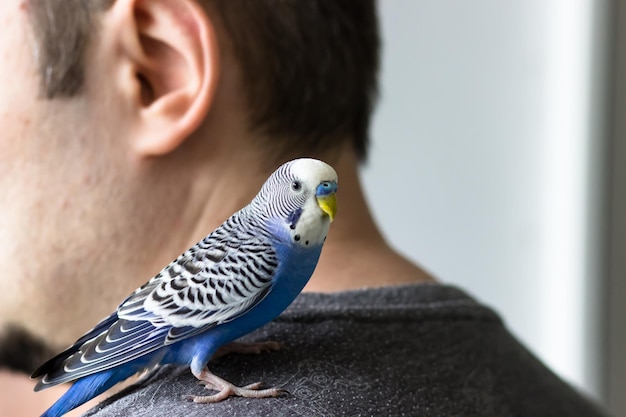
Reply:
x=214, y=282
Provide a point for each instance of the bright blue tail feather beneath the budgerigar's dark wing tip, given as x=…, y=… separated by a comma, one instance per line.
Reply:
x=87, y=388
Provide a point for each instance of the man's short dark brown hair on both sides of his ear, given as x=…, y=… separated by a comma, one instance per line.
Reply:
x=309, y=67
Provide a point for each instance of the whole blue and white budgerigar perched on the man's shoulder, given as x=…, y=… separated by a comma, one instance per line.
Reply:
x=241, y=276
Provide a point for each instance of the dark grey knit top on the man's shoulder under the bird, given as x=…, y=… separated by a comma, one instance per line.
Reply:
x=423, y=350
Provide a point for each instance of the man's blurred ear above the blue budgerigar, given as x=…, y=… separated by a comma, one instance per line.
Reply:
x=168, y=69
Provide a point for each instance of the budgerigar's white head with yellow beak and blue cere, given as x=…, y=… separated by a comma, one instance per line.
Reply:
x=301, y=196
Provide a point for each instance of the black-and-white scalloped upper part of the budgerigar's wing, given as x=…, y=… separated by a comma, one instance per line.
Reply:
x=215, y=281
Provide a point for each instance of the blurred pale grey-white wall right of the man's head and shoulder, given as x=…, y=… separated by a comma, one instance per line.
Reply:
x=486, y=161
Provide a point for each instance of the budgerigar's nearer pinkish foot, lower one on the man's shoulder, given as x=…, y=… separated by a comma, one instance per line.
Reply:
x=225, y=389
